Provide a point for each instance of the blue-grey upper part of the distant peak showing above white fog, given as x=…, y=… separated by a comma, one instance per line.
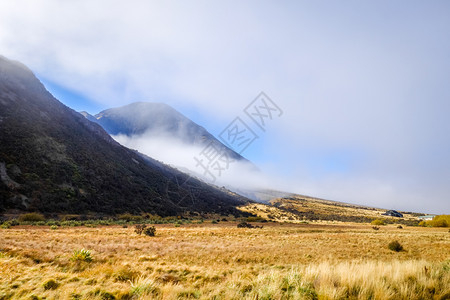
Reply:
x=157, y=119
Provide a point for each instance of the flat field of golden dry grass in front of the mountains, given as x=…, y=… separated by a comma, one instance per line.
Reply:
x=220, y=261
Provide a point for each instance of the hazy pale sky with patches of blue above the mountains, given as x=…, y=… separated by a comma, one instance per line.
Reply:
x=364, y=85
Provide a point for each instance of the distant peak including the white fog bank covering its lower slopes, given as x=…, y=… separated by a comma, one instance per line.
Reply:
x=160, y=131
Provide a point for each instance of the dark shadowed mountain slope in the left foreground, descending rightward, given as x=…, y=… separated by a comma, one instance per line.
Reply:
x=54, y=160
